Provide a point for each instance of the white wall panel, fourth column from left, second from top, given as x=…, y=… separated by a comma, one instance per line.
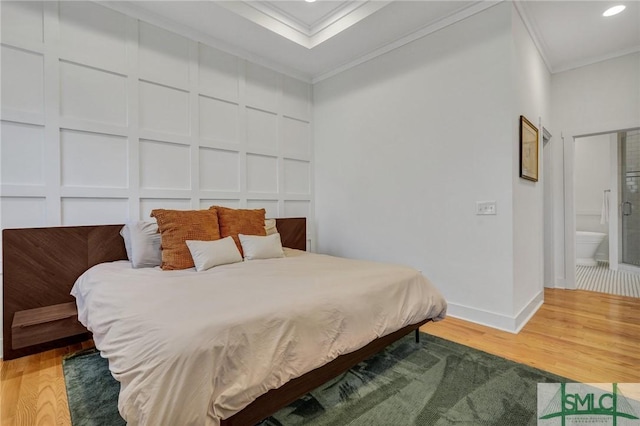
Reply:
x=218, y=120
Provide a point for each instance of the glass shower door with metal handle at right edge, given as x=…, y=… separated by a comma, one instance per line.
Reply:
x=630, y=175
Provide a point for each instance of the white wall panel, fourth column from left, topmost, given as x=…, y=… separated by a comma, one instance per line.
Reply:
x=218, y=73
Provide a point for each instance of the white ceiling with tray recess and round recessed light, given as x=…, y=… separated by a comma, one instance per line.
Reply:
x=315, y=40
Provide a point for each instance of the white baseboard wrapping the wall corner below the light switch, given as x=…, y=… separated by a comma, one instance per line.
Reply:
x=496, y=320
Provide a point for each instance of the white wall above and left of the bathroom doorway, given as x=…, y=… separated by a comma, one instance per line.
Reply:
x=598, y=98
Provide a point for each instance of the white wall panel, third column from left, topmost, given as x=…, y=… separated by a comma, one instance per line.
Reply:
x=164, y=56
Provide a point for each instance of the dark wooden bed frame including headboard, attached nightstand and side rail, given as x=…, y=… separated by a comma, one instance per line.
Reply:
x=42, y=264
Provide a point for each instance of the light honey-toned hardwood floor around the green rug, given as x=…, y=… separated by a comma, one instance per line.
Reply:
x=584, y=336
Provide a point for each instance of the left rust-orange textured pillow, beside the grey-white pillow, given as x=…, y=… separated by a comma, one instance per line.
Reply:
x=178, y=226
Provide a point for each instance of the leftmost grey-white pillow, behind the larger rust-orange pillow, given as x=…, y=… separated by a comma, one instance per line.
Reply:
x=142, y=242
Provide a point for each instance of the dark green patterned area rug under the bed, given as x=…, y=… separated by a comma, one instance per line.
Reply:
x=434, y=382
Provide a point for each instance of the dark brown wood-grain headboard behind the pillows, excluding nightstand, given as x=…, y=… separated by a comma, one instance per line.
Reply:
x=42, y=264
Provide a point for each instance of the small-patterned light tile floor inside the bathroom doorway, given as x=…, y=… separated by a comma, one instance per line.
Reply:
x=603, y=280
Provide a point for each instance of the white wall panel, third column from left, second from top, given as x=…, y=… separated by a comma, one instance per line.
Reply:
x=164, y=109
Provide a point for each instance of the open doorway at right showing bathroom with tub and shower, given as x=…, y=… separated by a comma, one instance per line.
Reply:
x=607, y=212
